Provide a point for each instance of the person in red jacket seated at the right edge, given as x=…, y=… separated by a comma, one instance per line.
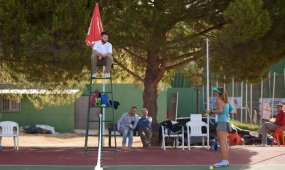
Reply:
x=270, y=126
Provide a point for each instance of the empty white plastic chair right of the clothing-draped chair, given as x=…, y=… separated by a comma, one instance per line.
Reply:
x=194, y=128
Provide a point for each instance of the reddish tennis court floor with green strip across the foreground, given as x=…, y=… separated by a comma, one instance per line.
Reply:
x=155, y=159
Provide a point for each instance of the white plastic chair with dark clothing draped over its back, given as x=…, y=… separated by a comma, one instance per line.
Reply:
x=172, y=135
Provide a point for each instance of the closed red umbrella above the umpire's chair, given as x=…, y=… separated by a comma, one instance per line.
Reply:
x=95, y=27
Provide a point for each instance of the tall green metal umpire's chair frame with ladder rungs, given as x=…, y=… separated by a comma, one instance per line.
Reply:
x=92, y=86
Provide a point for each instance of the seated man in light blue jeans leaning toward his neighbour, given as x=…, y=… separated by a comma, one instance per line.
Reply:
x=126, y=124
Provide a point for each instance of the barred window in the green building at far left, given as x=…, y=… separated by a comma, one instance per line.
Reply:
x=8, y=105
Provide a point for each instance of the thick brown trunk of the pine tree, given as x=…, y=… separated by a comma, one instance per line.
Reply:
x=153, y=75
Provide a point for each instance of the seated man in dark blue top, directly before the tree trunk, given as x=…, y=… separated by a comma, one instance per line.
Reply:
x=144, y=128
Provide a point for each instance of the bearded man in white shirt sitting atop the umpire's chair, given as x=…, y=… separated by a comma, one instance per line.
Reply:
x=102, y=51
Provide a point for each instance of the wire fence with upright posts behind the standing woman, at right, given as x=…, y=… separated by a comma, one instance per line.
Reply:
x=253, y=102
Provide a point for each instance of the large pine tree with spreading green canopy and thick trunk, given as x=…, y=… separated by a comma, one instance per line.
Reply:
x=43, y=41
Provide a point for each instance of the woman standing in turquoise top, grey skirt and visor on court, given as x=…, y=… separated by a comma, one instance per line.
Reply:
x=222, y=117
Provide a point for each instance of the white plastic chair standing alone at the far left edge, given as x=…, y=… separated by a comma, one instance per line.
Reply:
x=7, y=131
